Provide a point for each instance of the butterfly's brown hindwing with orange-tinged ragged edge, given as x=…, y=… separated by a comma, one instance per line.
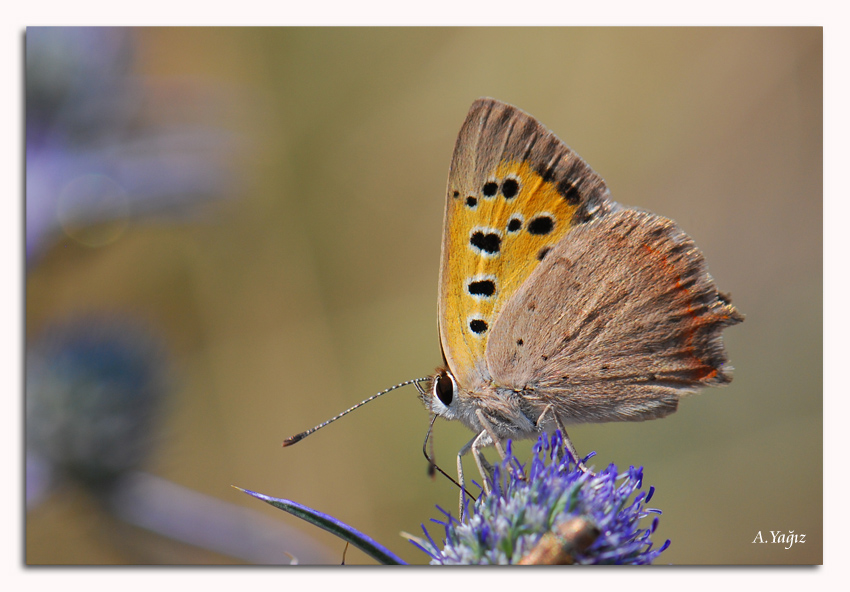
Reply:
x=619, y=320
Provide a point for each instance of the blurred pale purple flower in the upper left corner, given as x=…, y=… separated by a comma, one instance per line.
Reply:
x=100, y=149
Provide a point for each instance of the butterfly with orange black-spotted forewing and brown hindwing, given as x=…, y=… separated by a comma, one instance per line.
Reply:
x=557, y=305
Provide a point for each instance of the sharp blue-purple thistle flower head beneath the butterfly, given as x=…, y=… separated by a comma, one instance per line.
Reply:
x=553, y=513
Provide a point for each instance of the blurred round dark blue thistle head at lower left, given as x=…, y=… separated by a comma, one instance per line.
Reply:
x=96, y=386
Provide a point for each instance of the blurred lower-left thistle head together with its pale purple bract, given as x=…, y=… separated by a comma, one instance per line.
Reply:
x=97, y=393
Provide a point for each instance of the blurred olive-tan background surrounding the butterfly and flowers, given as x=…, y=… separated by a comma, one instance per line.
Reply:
x=310, y=281
